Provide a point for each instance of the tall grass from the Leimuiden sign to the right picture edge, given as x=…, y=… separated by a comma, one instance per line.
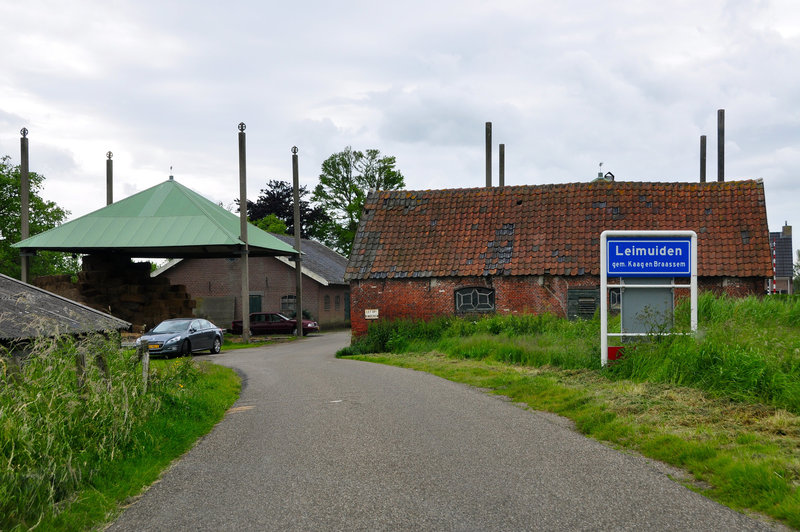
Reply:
x=746, y=349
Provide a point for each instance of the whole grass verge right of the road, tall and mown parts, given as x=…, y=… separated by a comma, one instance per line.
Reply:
x=724, y=406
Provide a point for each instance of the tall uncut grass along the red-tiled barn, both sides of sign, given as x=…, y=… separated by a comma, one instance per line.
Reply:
x=746, y=349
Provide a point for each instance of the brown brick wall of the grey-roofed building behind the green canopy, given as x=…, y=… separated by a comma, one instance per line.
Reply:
x=269, y=278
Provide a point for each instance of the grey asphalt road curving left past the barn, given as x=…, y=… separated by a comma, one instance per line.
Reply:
x=316, y=443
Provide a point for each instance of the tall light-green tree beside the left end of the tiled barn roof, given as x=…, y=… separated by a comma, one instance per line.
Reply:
x=346, y=178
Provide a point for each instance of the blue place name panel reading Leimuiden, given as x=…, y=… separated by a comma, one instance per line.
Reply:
x=649, y=257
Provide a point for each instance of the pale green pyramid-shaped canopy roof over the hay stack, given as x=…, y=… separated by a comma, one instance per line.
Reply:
x=167, y=220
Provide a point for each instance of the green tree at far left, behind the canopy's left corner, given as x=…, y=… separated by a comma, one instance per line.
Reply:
x=44, y=215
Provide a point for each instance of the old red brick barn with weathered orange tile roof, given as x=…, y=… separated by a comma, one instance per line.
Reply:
x=535, y=249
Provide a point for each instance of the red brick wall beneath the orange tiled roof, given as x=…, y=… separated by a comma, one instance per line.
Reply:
x=430, y=297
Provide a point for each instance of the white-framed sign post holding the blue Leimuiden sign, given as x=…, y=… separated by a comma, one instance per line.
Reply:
x=645, y=254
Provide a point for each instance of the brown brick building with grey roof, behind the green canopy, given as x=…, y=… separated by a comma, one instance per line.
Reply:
x=215, y=284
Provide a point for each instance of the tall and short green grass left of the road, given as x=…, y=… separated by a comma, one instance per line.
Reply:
x=69, y=456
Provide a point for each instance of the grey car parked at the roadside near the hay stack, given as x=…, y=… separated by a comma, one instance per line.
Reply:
x=182, y=336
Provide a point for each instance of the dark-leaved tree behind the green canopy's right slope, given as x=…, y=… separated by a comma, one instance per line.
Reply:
x=278, y=199
